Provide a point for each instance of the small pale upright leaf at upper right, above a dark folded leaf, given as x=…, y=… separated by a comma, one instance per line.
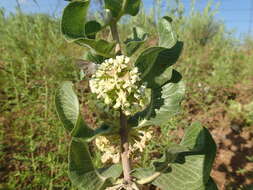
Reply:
x=167, y=37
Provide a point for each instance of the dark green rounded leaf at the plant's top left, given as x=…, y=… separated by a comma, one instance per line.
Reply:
x=73, y=19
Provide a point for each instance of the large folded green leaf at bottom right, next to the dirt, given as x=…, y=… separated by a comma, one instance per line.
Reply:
x=190, y=169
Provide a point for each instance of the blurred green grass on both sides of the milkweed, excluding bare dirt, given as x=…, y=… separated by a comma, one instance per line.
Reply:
x=35, y=58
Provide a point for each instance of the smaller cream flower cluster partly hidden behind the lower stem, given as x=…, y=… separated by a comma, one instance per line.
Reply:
x=110, y=148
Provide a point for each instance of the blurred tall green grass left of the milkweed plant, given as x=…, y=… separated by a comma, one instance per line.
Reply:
x=35, y=59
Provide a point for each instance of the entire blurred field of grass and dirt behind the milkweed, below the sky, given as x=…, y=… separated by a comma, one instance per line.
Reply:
x=34, y=59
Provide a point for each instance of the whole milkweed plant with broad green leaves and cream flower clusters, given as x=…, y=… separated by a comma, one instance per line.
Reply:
x=142, y=90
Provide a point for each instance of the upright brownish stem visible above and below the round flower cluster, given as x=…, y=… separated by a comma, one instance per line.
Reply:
x=124, y=131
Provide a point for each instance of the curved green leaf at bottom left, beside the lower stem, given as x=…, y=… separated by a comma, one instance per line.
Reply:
x=82, y=172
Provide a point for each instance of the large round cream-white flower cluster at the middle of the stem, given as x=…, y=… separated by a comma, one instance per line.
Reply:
x=116, y=82
